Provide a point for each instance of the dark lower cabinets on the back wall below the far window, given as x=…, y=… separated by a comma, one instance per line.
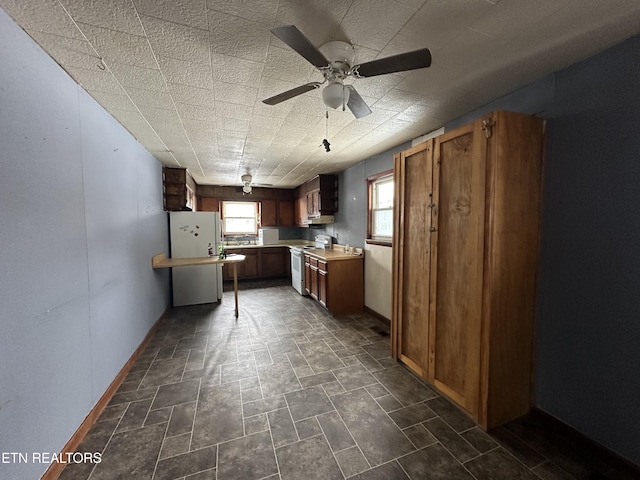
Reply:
x=260, y=262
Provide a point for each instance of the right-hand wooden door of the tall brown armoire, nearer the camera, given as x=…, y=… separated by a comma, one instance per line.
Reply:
x=457, y=252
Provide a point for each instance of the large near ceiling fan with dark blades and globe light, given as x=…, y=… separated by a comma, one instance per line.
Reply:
x=335, y=60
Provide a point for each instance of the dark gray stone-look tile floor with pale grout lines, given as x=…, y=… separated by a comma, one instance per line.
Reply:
x=288, y=392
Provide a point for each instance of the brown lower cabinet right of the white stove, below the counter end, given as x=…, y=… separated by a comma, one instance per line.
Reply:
x=338, y=285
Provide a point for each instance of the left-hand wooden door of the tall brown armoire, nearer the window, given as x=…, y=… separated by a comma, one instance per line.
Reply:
x=411, y=245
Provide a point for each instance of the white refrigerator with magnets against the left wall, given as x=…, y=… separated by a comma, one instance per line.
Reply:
x=190, y=236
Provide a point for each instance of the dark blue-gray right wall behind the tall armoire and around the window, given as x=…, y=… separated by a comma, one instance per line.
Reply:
x=588, y=302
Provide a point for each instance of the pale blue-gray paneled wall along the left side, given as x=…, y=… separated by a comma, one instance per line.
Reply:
x=80, y=218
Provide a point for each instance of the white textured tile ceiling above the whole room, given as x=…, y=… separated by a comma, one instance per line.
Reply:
x=186, y=77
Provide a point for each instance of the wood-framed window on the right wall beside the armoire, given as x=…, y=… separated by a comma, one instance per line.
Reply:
x=380, y=224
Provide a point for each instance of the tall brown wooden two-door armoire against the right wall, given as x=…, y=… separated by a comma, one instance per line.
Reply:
x=466, y=226
